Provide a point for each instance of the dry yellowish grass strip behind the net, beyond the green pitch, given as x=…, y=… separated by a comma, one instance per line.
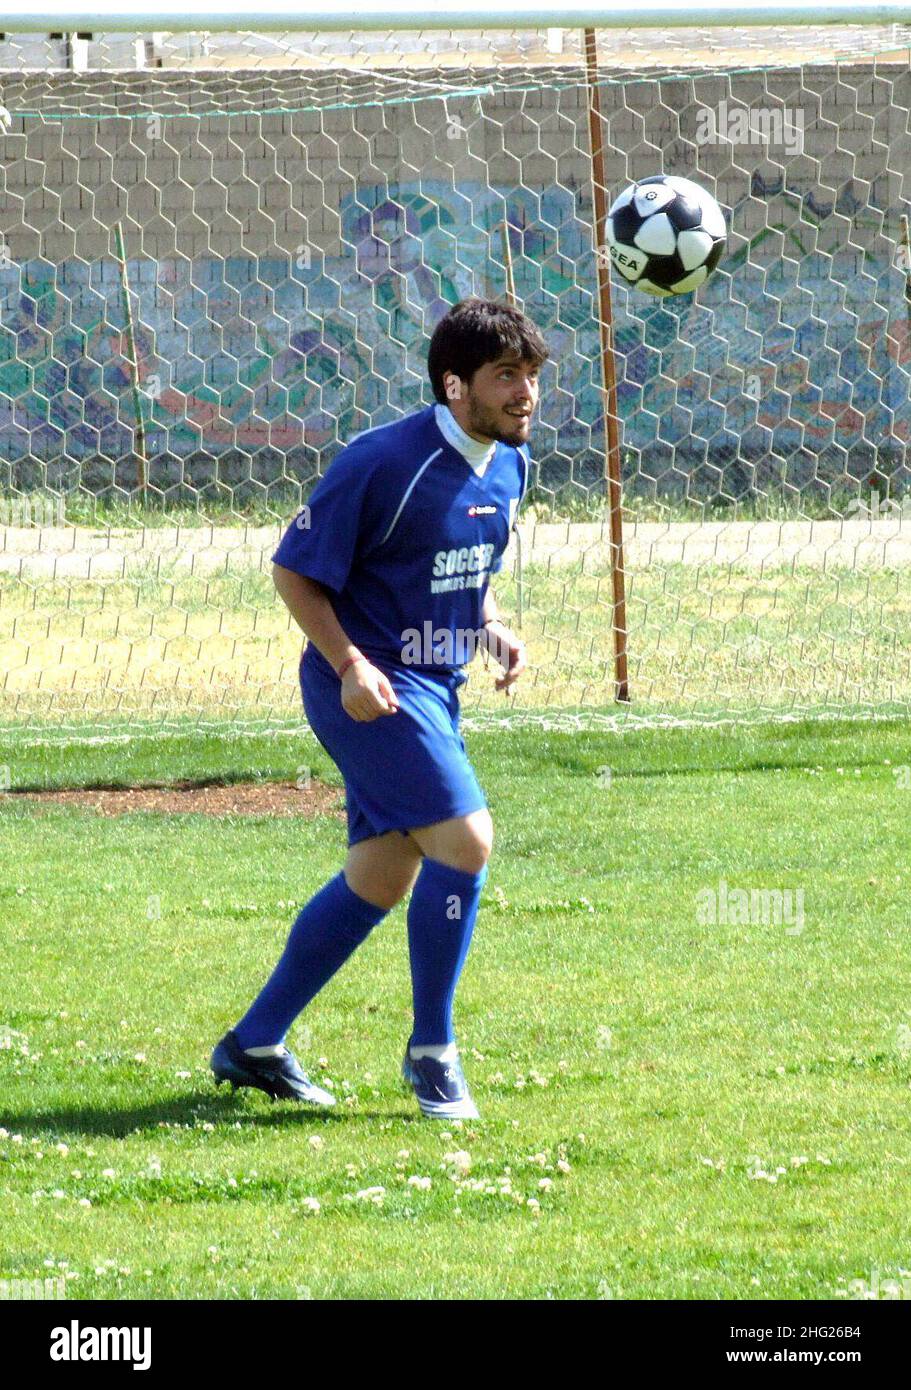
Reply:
x=703, y=637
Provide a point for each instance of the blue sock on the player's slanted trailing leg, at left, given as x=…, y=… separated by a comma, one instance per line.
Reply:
x=328, y=931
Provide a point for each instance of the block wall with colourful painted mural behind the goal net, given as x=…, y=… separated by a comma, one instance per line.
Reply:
x=289, y=269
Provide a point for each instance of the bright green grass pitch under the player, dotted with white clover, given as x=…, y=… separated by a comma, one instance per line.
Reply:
x=643, y=1063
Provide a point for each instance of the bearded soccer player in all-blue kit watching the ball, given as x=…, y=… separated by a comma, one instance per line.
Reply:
x=387, y=573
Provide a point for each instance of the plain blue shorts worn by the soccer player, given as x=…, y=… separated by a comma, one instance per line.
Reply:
x=401, y=771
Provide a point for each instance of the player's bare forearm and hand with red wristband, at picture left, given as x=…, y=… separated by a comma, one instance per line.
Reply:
x=366, y=692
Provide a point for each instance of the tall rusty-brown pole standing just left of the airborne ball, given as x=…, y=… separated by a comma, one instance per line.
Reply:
x=608, y=372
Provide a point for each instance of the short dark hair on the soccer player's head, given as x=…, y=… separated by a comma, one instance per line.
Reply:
x=478, y=332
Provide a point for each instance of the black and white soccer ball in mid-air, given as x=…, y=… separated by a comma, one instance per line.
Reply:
x=666, y=234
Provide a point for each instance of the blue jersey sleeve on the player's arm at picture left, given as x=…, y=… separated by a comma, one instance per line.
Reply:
x=341, y=519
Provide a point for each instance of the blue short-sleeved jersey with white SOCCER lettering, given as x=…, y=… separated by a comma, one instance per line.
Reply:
x=405, y=534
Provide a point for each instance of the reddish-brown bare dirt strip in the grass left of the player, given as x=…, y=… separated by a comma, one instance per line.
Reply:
x=237, y=800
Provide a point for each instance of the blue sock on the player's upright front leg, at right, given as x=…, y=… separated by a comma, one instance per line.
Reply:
x=442, y=919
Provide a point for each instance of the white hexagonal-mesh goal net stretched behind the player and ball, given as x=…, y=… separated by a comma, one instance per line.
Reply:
x=223, y=255
